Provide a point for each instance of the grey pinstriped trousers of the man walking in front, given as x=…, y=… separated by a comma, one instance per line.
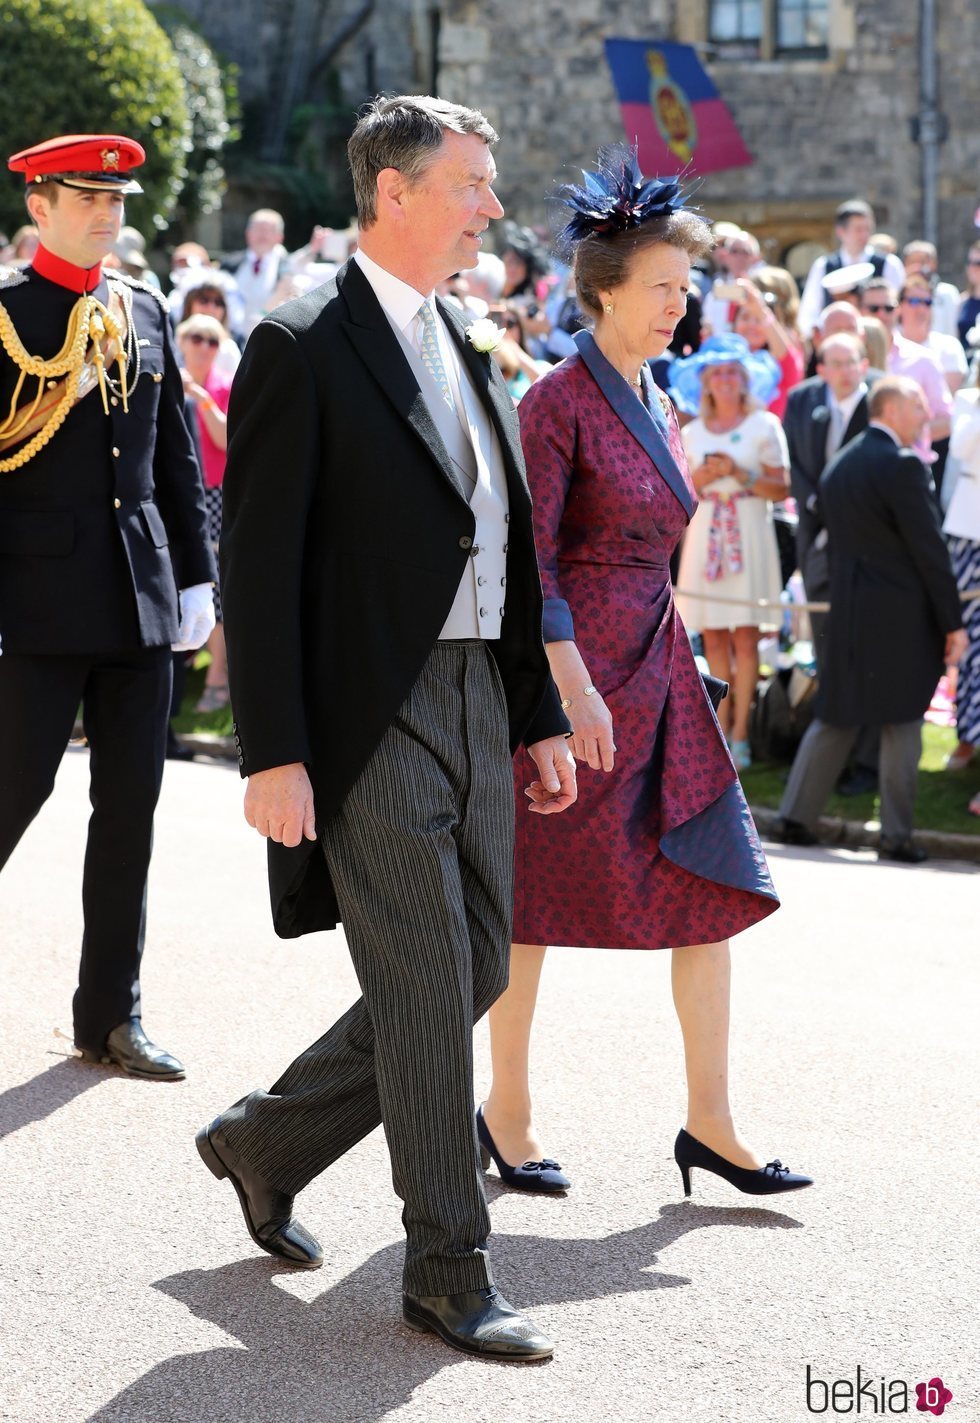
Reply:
x=422, y=857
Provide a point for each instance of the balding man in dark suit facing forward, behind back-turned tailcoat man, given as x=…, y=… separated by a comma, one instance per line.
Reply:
x=823, y=415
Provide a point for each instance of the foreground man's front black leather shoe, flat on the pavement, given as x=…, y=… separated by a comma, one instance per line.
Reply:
x=480, y=1323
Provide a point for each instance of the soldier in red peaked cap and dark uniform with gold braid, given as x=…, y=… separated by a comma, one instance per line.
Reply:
x=105, y=559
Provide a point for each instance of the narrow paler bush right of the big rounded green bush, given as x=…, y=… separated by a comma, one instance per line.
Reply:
x=215, y=115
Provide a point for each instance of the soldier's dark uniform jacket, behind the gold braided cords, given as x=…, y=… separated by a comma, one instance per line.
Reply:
x=107, y=522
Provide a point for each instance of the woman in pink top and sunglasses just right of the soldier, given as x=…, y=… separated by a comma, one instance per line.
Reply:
x=207, y=392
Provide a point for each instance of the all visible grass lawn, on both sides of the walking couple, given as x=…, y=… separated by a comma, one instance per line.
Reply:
x=942, y=800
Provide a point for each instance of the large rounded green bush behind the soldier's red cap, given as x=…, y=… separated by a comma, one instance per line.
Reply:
x=95, y=68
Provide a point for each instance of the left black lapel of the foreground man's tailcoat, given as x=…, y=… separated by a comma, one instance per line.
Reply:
x=378, y=345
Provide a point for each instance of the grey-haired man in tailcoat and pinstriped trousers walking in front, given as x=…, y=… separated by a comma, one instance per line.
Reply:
x=383, y=621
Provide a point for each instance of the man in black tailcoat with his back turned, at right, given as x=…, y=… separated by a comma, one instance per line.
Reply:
x=895, y=620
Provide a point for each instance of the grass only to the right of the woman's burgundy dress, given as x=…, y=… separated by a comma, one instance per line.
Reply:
x=941, y=805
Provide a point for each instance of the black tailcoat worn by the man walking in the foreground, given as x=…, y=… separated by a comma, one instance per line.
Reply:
x=345, y=539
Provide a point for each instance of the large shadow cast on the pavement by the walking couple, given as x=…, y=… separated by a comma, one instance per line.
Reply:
x=346, y=1357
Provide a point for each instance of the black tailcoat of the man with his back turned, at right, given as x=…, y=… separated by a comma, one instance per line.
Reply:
x=894, y=597
